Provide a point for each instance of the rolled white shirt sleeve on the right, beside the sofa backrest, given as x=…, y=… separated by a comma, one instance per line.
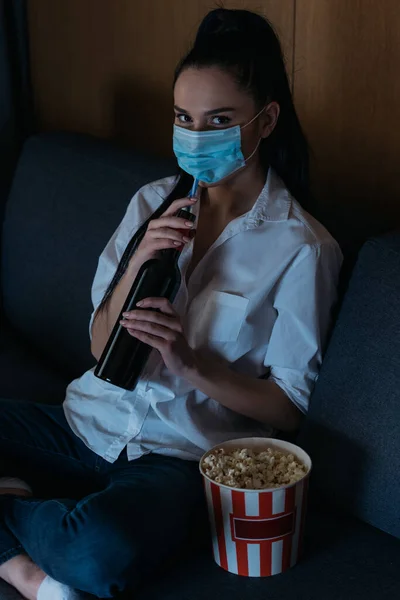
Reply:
x=303, y=302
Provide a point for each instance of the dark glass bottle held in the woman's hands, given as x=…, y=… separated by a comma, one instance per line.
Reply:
x=124, y=357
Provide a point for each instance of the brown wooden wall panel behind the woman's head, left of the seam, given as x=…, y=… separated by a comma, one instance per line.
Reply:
x=105, y=66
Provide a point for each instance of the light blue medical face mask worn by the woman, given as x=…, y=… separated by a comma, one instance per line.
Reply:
x=210, y=156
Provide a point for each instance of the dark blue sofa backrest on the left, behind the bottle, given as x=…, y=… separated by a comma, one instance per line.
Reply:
x=68, y=196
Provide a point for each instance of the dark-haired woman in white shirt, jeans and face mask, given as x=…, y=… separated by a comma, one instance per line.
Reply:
x=237, y=354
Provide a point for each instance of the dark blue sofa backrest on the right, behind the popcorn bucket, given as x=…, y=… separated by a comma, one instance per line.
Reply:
x=353, y=428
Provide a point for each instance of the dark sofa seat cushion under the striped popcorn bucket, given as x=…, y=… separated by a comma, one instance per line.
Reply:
x=344, y=560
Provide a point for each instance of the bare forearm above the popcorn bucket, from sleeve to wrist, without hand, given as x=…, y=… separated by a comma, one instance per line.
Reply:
x=259, y=399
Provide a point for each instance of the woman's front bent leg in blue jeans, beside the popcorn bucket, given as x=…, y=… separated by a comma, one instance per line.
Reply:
x=113, y=539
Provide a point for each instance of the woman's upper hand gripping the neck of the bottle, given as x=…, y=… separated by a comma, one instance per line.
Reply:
x=166, y=232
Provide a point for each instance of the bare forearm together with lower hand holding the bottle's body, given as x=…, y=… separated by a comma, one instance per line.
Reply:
x=259, y=399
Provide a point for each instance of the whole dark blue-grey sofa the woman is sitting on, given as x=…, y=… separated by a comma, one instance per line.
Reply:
x=68, y=195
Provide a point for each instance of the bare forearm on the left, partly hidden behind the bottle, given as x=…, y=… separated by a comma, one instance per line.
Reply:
x=106, y=318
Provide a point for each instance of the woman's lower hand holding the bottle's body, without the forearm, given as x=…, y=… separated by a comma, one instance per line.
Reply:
x=162, y=331
